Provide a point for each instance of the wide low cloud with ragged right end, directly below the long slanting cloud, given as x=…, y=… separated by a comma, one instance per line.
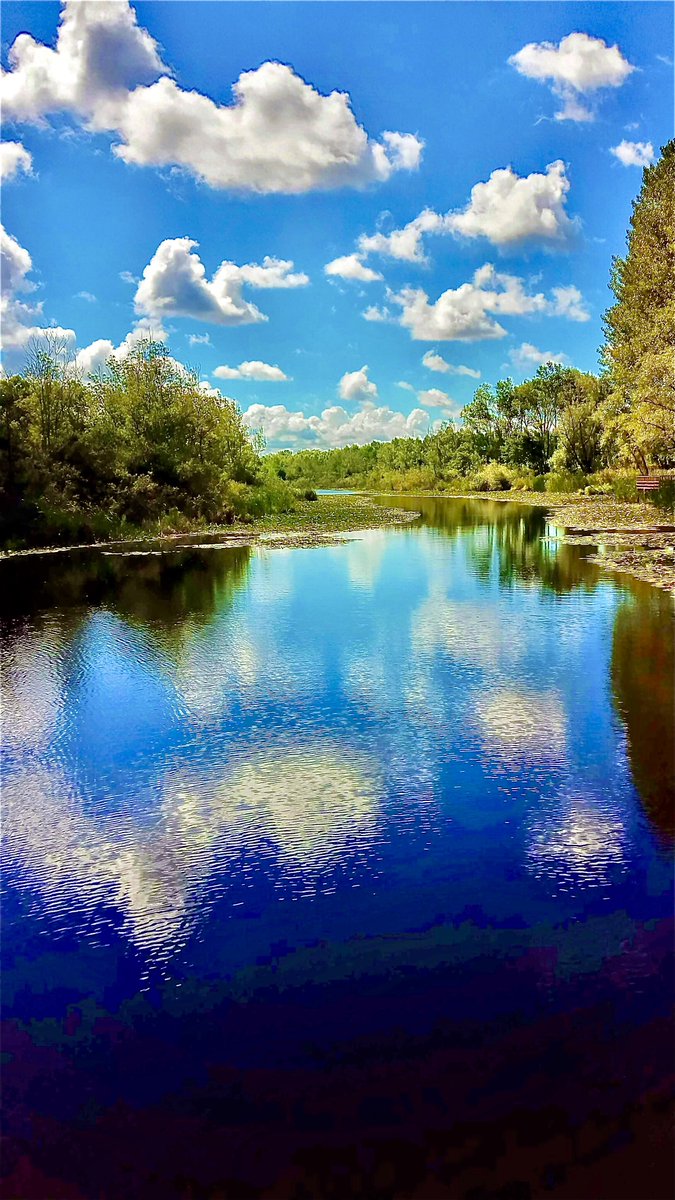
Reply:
x=468, y=314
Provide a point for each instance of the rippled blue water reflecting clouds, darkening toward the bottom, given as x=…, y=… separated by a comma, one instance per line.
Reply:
x=342, y=872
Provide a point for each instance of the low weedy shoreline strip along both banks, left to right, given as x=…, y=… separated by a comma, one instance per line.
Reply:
x=629, y=538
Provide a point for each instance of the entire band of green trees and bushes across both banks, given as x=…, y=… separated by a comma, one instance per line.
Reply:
x=144, y=447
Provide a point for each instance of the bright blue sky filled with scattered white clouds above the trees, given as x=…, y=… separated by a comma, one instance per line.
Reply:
x=343, y=215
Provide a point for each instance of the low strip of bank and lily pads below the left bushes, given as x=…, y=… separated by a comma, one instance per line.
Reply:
x=310, y=524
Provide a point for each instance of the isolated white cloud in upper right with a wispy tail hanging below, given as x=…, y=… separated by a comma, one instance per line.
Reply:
x=578, y=67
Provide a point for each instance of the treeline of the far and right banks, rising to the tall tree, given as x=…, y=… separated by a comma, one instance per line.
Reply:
x=563, y=429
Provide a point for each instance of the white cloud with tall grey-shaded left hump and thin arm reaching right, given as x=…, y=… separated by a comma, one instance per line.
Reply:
x=175, y=285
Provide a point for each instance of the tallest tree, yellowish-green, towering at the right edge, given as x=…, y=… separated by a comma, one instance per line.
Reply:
x=641, y=326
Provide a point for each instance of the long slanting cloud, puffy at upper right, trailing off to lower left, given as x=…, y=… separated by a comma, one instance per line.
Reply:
x=507, y=209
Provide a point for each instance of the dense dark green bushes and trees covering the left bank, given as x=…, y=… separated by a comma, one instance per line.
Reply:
x=141, y=445
